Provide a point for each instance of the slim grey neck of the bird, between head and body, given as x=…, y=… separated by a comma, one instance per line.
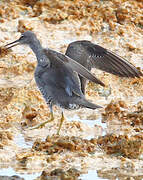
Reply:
x=38, y=50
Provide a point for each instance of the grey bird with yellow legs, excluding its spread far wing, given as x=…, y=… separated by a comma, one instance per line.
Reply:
x=56, y=77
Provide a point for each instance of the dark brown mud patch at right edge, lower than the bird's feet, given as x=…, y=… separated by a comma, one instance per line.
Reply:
x=122, y=145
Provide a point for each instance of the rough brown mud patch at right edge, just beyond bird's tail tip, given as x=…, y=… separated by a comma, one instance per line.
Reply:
x=129, y=117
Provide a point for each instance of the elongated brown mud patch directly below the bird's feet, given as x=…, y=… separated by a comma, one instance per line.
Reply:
x=56, y=144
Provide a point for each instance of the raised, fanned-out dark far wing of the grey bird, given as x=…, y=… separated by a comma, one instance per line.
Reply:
x=91, y=56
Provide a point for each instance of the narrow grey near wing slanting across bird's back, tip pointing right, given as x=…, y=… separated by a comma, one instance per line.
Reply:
x=74, y=66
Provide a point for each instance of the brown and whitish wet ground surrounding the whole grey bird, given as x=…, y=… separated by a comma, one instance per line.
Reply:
x=105, y=143
